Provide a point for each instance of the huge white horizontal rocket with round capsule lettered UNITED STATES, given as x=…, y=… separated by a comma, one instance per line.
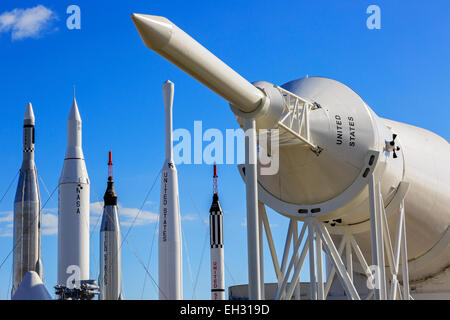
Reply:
x=329, y=171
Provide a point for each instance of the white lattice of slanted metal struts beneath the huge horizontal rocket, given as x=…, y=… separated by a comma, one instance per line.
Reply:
x=314, y=239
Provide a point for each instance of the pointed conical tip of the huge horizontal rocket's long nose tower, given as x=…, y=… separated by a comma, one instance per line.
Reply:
x=155, y=31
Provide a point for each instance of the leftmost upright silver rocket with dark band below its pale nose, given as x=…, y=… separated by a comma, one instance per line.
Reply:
x=27, y=210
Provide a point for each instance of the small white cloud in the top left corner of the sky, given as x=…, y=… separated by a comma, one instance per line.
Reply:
x=26, y=23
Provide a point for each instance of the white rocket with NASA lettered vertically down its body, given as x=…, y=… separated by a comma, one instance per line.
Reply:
x=73, y=209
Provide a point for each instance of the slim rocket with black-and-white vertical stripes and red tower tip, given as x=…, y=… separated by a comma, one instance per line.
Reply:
x=217, y=257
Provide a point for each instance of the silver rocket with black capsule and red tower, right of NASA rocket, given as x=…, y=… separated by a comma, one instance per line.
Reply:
x=110, y=281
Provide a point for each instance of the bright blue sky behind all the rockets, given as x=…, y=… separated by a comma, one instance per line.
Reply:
x=401, y=71
